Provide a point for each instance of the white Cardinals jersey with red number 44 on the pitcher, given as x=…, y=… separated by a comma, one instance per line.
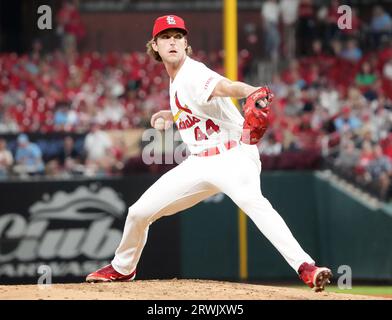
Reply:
x=203, y=123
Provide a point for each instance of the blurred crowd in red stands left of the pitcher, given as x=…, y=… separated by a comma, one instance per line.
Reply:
x=87, y=94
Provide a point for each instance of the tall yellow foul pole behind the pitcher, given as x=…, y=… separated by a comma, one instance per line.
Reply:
x=230, y=45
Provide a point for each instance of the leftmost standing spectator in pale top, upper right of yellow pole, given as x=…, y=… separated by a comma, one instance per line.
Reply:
x=270, y=17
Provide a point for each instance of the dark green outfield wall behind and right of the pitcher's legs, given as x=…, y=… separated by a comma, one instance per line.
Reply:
x=335, y=228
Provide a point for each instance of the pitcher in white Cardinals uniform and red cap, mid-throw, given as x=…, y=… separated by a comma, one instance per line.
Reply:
x=224, y=157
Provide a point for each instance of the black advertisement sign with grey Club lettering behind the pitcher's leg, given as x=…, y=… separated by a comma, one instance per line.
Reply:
x=74, y=227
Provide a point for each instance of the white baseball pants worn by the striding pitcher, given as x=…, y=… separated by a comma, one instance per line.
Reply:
x=235, y=172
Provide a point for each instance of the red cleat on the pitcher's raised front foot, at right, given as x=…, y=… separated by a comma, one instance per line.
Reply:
x=315, y=277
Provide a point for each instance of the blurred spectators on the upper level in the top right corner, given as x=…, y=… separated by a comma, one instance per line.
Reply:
x=289, y=26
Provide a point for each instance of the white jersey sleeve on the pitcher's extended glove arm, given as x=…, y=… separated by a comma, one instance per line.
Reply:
x=204, y=81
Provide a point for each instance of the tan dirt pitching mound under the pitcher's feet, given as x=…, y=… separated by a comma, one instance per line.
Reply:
x=167, y=290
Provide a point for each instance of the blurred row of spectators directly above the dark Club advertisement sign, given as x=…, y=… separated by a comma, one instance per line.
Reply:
x=96, y=154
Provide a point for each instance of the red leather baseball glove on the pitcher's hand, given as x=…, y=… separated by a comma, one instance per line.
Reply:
x=256, y=110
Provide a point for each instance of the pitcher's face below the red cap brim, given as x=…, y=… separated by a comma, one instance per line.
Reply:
x=171, y=45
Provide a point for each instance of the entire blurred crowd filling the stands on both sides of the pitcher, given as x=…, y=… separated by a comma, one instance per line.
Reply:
x=334, y=98
